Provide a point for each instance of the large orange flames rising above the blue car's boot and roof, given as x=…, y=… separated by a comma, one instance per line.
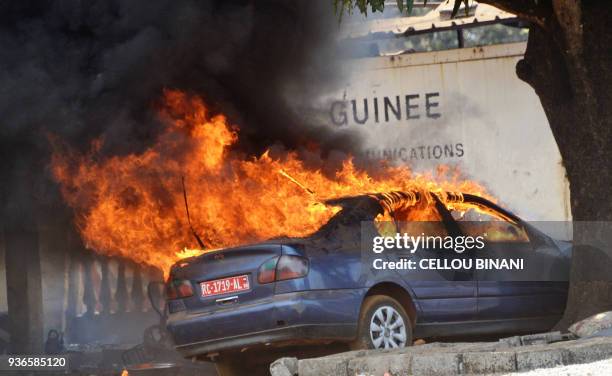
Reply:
x=132, y=206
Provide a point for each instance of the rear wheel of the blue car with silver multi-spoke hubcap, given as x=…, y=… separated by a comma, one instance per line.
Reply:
x=383, y=324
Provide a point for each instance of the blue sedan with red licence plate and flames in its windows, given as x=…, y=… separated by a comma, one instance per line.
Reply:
x=315, y=290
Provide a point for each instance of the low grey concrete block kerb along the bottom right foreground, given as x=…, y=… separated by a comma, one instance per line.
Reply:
x=440, y=359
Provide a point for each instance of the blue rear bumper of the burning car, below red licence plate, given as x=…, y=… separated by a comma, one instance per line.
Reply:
x=295, y=318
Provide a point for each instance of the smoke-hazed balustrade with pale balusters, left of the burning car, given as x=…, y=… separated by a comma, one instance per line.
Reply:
x=106, y=299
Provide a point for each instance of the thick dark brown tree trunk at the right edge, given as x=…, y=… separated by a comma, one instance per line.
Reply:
x=569, y=64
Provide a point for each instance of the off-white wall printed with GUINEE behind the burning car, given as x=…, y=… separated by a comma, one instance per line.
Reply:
x=467, y=108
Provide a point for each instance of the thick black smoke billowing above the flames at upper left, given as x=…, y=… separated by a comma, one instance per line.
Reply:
x=81, y=69
